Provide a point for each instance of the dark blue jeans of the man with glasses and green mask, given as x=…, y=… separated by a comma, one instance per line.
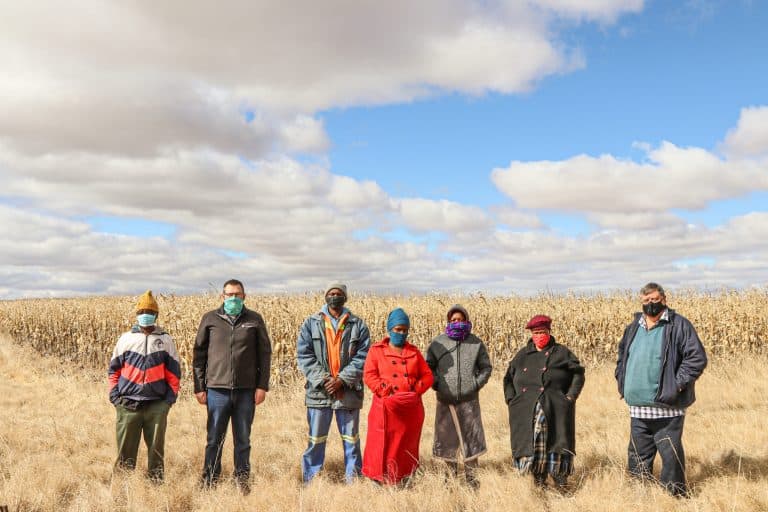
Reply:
x=223, y=404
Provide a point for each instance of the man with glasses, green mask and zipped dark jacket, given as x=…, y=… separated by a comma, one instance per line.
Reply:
x=231, y=364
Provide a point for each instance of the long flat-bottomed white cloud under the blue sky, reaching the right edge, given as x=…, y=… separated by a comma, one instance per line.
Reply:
x=674, y=177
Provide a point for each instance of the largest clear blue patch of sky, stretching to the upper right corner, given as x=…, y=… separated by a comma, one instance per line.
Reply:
x=670, y=73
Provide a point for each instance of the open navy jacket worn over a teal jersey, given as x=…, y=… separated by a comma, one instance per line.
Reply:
x=683, y=361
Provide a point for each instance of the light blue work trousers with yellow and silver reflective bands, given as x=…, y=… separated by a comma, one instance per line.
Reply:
x=348, y=422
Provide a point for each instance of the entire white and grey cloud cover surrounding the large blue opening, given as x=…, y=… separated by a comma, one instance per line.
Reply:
x=198, y=117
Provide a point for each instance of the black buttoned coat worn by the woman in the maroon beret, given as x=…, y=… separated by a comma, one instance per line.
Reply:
x=548, y=376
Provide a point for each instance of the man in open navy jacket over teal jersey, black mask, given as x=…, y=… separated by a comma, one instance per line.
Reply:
x=660, y=358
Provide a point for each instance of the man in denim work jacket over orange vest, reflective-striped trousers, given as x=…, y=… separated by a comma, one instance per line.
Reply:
x=332, y=347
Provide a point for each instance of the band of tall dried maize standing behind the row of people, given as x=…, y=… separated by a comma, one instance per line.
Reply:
x=83, y=330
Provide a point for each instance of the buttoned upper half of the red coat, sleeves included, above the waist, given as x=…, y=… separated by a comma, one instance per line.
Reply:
x=386, y=372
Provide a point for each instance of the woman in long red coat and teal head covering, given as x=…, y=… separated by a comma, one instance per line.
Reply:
x=397, y=374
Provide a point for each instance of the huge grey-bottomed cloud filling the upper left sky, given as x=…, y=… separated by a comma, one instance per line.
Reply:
x=143, y=77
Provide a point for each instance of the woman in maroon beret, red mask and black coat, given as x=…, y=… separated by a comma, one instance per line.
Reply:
x=541, y=386
